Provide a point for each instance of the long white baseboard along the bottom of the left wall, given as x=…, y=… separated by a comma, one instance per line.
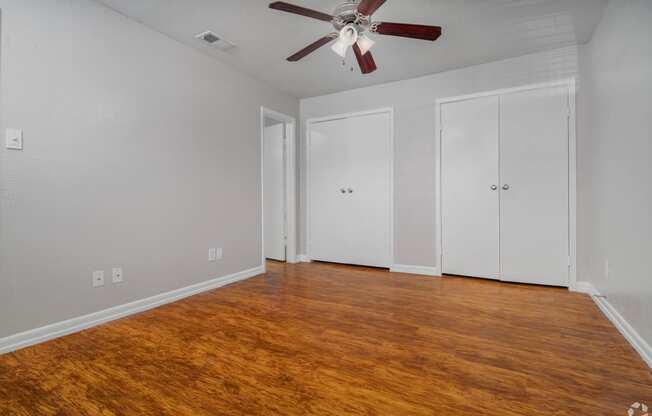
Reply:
x=60, y=329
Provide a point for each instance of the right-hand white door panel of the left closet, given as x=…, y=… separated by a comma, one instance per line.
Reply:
x=368, y=189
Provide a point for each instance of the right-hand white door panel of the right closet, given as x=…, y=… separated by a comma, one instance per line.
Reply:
x=534, y=168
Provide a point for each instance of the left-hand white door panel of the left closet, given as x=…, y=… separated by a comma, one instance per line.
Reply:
x=330, y=219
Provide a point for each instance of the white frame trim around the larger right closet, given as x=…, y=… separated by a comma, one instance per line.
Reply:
x=572, y=165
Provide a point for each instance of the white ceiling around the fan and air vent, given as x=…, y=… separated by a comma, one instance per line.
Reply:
x=475, y=32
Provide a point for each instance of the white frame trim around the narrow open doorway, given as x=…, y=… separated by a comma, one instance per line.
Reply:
x=290, y=182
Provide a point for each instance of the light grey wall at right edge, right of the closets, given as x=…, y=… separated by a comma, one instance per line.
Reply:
x=617, y=209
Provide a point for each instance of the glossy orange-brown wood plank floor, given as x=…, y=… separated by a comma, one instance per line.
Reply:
x=319, y=339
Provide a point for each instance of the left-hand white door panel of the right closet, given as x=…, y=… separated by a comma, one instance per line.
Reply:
x=470, y=199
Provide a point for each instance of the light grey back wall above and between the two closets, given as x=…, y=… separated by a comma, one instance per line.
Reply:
x=414, y=144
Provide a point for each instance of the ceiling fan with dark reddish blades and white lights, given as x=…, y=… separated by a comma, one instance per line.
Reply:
x=352, y=20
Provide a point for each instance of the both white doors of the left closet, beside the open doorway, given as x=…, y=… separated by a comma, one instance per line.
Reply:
x=350, y=190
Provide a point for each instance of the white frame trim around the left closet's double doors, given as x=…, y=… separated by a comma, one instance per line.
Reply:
x=309, y=123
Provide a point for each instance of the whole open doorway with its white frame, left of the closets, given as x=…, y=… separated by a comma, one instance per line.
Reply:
x=278, y=186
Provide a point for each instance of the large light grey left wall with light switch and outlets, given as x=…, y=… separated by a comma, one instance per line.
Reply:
x=139, y=152
